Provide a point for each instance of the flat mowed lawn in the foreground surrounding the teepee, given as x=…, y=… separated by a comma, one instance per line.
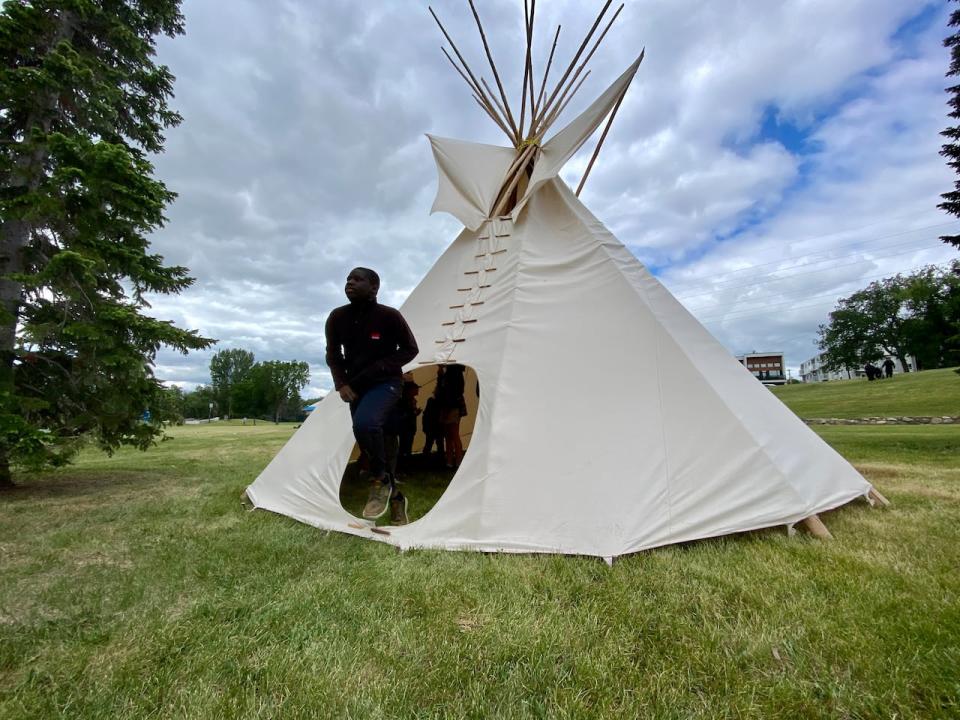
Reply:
x=137, y=586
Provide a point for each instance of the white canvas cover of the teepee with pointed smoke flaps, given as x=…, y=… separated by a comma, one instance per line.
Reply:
x=610, y=420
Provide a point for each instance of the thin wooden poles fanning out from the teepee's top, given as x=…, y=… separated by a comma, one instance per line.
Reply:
x=527, y=134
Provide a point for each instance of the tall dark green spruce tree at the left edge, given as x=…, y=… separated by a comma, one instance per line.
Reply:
x=82, y=105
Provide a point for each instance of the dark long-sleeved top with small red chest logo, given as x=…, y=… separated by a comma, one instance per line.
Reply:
x=367, y=343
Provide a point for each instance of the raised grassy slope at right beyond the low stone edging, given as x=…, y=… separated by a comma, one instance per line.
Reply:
x=931, y=393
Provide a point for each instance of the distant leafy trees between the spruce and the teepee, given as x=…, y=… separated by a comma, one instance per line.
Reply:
x=241, y=387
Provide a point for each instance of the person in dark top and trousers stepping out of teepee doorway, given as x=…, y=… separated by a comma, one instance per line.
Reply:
x=367, y=347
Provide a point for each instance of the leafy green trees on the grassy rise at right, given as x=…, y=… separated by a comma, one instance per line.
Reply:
x=917, y=314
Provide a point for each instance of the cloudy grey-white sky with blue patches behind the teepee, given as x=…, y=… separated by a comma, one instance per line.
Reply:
x=770, y=157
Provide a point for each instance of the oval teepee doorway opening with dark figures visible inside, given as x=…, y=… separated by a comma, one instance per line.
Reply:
x=429, y=412
